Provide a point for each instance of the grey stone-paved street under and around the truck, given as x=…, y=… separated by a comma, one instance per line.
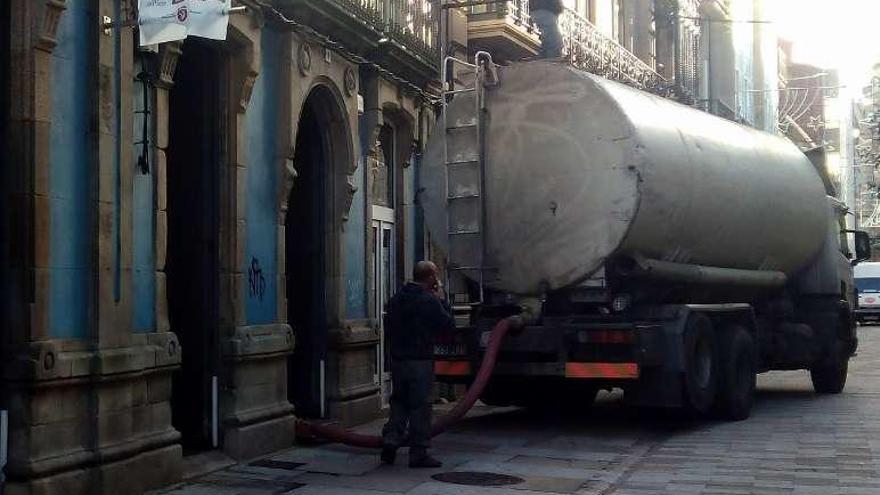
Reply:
x=795, y=443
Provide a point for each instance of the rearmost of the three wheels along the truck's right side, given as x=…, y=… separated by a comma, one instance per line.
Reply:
x=700, y=364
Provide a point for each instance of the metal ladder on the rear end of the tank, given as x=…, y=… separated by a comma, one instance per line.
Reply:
x=464, y=160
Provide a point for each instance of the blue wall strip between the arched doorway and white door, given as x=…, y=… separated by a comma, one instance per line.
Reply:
x=355, y=250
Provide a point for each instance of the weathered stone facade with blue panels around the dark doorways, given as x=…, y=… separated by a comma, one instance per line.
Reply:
x=88, y=351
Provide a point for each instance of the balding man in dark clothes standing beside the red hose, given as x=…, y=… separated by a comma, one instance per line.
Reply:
x=415, y=315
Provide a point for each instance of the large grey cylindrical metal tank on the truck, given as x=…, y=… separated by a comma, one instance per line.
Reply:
x=580, y=168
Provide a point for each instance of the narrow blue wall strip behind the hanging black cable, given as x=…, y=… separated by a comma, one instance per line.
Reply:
x=143, y=237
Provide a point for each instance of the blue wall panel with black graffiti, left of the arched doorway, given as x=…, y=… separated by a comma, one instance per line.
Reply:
x=261, y=267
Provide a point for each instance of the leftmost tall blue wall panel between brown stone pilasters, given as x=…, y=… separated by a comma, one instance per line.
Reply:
x=69, y=168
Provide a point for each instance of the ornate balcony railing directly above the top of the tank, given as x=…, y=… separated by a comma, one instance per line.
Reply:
x=585, y=47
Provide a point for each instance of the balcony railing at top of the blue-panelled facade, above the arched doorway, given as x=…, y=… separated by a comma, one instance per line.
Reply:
x=414, y=24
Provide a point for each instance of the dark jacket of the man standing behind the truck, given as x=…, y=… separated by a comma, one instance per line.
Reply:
x=415, y=317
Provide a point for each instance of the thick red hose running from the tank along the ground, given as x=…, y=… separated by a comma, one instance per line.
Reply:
x=339, y=435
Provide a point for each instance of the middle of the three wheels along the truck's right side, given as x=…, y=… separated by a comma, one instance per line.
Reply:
x=736, y=366
